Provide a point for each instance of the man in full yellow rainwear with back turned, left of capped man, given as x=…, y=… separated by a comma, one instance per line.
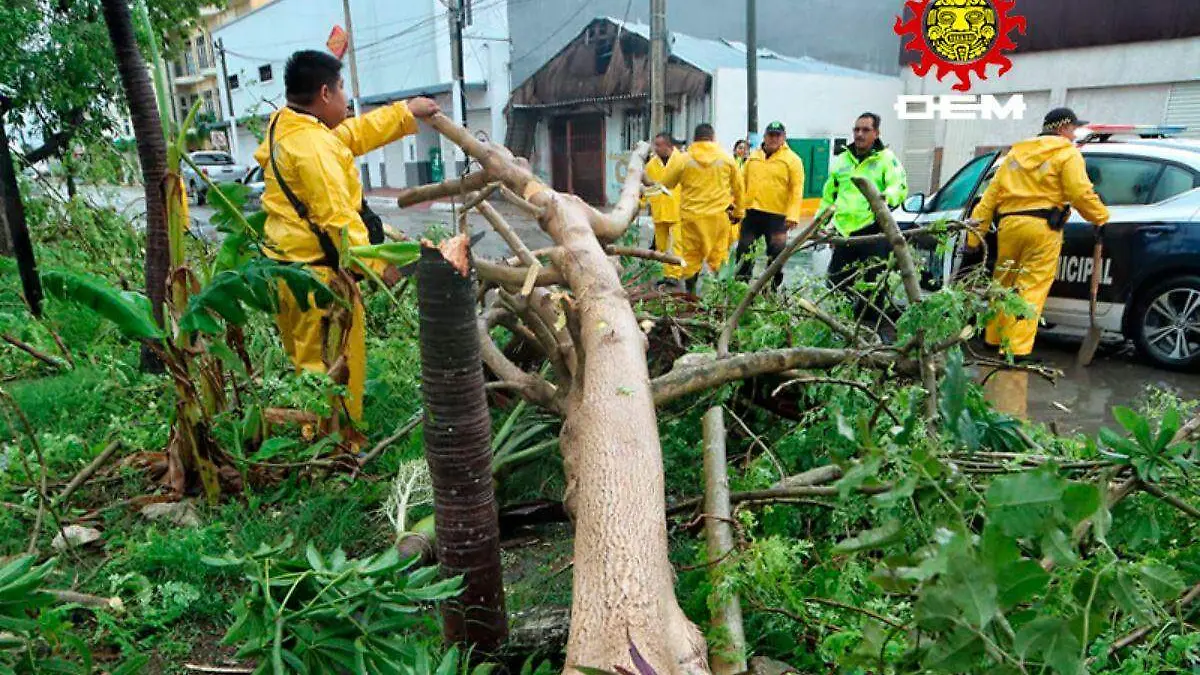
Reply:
x=711, y=186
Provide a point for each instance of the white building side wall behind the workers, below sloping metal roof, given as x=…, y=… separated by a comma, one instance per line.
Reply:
x=811, y=106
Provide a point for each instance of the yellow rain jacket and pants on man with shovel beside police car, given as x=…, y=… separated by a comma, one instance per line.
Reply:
x=1041, y=174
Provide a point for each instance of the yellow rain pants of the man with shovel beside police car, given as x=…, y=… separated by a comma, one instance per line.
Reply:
x=1027, y=261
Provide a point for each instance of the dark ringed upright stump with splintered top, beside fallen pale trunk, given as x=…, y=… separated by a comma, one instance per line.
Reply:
x=459, y=451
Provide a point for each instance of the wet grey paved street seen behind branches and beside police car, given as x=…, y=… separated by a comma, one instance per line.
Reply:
x=1081, y=403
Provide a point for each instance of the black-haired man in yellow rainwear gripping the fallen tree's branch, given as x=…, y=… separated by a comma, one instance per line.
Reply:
x=311, y=146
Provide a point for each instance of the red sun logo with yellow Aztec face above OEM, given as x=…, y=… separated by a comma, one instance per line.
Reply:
x=961, y=37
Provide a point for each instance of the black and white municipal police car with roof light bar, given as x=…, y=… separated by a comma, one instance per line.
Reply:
x=1150, y=290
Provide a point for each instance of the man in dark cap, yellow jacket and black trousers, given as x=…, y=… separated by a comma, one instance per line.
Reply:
x=775, y=178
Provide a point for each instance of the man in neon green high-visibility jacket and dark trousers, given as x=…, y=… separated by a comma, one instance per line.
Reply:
x=867, y=158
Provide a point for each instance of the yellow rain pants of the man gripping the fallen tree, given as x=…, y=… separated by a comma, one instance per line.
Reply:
x=304, y=336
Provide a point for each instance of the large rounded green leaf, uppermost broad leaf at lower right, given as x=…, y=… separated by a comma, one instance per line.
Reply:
x=1025, y=505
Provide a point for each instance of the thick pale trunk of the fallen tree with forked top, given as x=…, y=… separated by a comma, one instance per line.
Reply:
x=623, y=583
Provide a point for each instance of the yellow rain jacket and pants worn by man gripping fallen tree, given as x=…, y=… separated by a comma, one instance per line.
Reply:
x=317, y=163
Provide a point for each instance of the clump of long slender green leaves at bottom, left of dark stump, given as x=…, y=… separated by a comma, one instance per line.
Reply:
x=322, y=614
